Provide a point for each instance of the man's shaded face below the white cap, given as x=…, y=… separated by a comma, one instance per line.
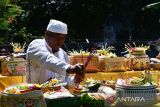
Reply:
x=54, y=40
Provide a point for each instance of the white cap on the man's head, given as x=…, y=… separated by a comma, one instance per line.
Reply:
x=57, y=27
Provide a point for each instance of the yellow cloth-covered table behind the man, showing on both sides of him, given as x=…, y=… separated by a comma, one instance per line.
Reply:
x=6, y=81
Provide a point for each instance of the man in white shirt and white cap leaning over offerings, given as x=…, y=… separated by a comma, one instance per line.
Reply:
x=46, y=59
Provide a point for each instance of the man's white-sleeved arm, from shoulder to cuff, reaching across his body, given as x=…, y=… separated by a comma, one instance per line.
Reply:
x=38, y=53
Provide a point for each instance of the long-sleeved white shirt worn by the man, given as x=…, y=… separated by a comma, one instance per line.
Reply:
x=43, y=64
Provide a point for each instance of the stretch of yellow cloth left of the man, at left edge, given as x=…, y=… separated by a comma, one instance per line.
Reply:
x=6, y=81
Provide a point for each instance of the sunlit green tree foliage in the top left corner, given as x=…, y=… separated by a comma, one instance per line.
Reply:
x=8, y=13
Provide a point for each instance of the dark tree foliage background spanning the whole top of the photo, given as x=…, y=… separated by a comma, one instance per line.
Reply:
x=98, y=20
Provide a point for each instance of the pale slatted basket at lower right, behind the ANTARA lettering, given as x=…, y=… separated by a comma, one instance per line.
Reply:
x=136, y=95
